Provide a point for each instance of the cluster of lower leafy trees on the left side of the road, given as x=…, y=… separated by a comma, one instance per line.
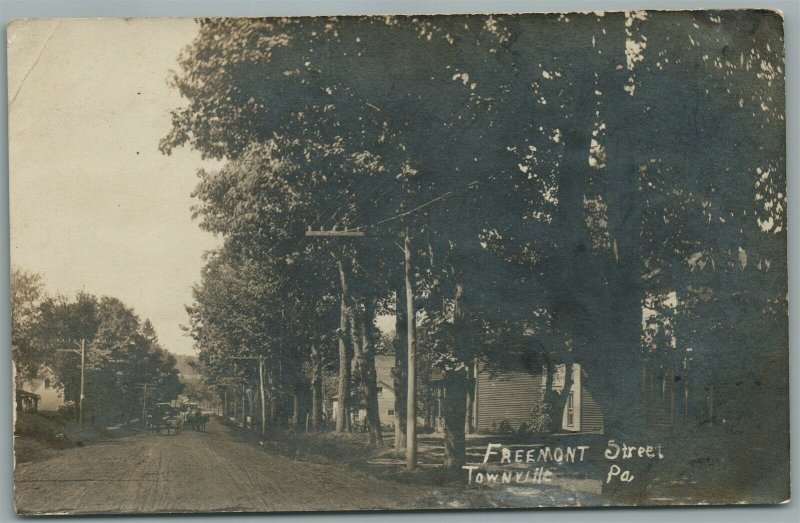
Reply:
x=122, y=353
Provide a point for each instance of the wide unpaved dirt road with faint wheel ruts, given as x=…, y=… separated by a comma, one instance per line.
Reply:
x=195, y=472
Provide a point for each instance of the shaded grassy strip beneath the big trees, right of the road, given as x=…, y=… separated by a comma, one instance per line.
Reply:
x=689, y=472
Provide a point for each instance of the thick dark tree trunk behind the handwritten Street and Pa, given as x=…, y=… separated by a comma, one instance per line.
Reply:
x=620, y=369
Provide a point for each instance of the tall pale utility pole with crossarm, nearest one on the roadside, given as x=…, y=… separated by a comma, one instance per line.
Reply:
x=411, y=405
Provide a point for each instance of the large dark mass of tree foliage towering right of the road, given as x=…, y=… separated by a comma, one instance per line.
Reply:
x=596, y=188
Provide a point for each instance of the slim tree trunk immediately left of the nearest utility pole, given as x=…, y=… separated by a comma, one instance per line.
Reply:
x=400, y=374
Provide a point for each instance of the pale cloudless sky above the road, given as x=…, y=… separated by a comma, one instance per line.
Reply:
x=94, y=205
